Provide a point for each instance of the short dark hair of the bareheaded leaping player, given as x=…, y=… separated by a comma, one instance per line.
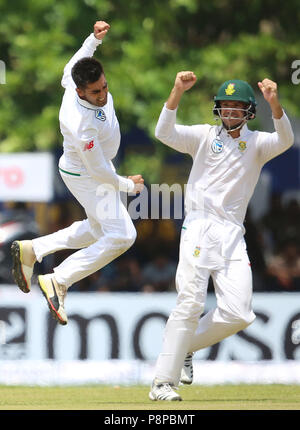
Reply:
x=86, y=71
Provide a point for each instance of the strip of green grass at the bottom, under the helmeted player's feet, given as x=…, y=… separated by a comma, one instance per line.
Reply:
x=225, y=397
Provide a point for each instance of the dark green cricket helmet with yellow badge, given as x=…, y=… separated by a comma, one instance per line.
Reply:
x=237, y=90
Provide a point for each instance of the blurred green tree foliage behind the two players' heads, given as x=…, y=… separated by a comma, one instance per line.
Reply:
x=149, y=42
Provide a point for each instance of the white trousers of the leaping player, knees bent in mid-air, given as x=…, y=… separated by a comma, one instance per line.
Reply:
x=106, y=233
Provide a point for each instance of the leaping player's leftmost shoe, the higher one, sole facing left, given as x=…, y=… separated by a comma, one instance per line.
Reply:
x=23, y=261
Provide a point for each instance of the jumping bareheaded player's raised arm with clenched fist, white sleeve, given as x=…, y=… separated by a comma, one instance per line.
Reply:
x=87, y=50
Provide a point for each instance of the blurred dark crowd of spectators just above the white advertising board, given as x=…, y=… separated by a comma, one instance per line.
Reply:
x=273, y=244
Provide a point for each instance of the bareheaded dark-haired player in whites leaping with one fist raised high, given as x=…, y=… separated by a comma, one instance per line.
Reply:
x=91, y=135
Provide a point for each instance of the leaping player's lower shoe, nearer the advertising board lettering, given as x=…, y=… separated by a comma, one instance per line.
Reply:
x=55, y=294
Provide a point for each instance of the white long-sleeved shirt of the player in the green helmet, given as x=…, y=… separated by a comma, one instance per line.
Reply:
x=225, y=170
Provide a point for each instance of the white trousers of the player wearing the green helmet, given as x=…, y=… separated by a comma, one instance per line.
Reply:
x=232, y=280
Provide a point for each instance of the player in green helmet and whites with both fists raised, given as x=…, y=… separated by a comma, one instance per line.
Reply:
x=227, y=161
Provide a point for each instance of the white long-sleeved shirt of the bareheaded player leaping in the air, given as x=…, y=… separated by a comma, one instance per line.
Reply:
x=91, y=133
